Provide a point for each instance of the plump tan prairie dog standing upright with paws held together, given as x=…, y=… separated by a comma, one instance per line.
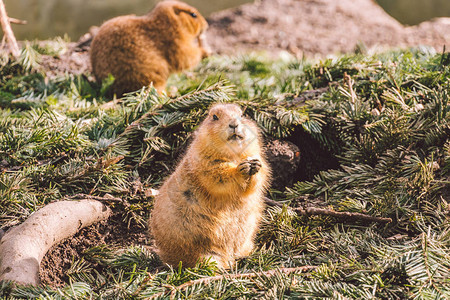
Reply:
x=210, y=207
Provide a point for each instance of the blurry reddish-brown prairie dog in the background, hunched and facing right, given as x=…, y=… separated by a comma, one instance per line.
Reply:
x=139, y=51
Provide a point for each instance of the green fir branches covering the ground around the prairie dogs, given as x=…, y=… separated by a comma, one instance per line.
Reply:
x=384, y=118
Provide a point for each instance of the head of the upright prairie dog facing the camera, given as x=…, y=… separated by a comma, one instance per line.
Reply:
x=227, y=131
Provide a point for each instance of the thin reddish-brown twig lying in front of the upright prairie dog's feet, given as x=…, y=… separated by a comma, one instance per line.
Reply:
x=207, y=280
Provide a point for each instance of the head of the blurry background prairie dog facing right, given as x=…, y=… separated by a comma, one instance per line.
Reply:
x=188, y=18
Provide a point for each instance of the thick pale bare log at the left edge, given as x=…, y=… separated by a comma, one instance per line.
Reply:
x=23, y=247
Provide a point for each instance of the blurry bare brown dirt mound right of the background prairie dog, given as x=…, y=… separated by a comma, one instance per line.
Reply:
x=317, y=27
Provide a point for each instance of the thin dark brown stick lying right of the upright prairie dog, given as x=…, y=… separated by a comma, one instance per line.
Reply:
x=344, y=215
